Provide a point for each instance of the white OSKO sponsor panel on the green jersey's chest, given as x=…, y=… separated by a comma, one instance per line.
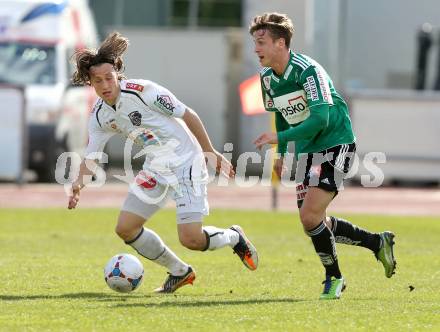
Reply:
x=293, y=107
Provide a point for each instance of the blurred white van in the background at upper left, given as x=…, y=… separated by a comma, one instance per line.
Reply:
x=37, y=40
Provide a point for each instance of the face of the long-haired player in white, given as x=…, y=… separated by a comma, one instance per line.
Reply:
x=104, y=80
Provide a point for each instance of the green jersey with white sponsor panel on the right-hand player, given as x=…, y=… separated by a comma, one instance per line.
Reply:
x=308, y=109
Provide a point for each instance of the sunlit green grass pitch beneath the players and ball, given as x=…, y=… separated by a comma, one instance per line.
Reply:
x=52, y=260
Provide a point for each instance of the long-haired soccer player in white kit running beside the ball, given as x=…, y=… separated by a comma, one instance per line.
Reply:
x=174, y=141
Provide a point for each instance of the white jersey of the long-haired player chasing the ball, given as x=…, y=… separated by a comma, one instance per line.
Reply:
x=149, y=116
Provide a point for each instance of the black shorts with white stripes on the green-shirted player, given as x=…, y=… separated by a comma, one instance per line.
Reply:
x=325, y=169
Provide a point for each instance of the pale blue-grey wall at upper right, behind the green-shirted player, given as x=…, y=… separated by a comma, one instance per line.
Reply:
x=378, y=38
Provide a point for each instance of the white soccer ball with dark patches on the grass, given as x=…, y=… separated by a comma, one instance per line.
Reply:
x=124, y=273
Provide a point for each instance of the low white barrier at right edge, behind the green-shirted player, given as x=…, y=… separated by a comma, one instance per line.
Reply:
x=412, y=150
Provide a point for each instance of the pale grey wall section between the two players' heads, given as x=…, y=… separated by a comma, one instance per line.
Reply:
x=190, y=63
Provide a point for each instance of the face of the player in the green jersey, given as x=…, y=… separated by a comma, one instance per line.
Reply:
x=267, y=49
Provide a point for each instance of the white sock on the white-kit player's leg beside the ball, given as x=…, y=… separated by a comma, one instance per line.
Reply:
x=151, y=246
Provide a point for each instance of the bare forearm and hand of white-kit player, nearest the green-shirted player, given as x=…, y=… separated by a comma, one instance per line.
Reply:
x=192, y=120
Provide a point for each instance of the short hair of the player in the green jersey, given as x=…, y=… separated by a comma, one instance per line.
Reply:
x=278, y=25
